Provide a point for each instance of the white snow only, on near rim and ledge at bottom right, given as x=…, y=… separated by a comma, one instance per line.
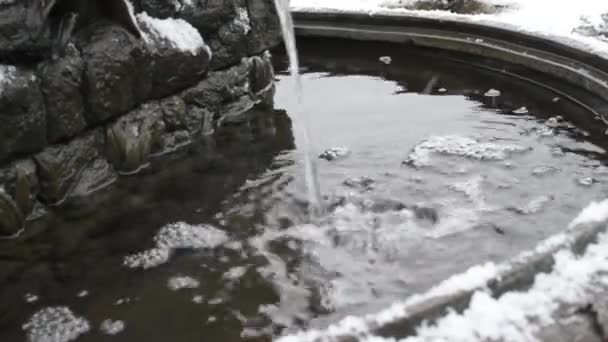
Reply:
x=569, y=282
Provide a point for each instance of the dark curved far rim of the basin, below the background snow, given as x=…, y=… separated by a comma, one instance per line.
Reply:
x=576, y=67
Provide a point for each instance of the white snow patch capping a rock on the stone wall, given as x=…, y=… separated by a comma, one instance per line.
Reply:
x=176, y=33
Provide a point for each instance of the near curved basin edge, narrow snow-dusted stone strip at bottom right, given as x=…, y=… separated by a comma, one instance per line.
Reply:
x=455, y=293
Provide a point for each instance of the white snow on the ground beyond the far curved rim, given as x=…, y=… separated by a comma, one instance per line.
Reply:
x=526, y=16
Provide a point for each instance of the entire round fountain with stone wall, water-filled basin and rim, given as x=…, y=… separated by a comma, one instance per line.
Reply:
x=455, y=156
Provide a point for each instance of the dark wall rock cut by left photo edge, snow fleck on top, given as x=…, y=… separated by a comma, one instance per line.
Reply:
x=22, y=113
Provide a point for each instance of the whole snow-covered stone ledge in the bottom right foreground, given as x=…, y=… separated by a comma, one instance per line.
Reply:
x=563, y=273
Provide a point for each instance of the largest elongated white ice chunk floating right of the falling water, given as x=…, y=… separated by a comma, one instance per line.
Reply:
x=453, y=145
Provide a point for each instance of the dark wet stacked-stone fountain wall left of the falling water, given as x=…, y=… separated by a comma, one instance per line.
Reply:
x=111, y=102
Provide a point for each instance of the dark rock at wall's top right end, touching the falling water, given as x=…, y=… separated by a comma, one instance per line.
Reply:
x=265, y=26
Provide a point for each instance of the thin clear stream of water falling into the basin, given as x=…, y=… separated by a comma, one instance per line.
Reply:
x=302, y=124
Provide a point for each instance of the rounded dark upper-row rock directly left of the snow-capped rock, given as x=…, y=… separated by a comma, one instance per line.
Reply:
x=112, y=81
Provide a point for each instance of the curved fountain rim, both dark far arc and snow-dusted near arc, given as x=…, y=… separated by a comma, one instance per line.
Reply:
x=574, y=66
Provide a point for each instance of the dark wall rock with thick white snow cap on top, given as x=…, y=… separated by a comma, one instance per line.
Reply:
x=168, y=67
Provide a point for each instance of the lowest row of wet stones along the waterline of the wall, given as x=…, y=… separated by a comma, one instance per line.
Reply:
x=95, y=158
